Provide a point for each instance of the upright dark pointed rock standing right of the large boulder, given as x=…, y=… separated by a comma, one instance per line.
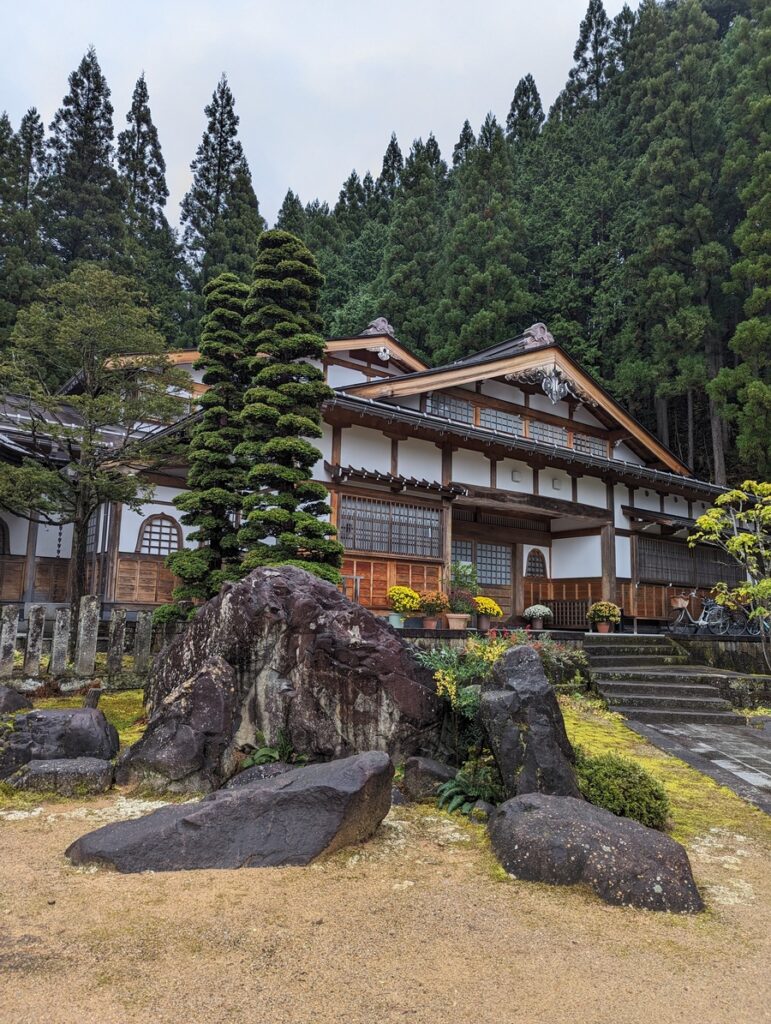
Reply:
x=525, y=726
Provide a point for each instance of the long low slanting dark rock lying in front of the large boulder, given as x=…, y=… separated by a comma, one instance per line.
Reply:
x=291, y=820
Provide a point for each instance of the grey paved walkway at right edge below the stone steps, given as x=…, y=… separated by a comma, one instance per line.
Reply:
x=739, y=757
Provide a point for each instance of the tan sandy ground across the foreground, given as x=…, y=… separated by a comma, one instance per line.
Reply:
x=416, y=926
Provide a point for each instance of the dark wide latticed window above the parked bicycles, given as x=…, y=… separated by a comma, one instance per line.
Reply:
x=674, y=562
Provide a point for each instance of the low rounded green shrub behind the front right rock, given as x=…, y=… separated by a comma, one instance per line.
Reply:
x=623, y=787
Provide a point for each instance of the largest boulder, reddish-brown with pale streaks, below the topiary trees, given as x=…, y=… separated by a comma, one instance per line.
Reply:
x=306, y=661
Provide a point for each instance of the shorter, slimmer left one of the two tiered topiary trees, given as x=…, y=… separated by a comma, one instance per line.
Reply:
x=216, y=479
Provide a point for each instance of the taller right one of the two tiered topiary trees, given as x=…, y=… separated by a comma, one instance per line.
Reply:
x=286, y=508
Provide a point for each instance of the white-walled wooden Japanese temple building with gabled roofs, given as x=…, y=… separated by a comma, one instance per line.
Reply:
x=515, y=459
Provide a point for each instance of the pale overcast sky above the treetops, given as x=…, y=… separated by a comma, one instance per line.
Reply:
x=320, y=86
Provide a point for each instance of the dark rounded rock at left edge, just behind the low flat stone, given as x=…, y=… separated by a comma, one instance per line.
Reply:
x=48, y=736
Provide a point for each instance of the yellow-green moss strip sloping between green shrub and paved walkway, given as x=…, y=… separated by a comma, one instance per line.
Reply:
x=699, y=804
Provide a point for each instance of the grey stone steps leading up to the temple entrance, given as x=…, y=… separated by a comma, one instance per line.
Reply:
x=649, y=678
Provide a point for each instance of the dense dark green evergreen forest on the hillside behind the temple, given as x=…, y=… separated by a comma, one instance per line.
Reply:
x=633, y=218
